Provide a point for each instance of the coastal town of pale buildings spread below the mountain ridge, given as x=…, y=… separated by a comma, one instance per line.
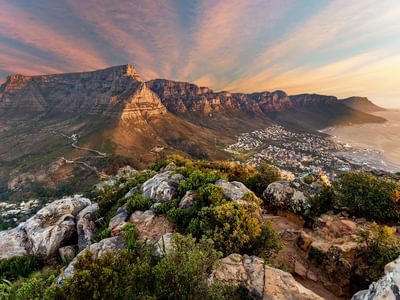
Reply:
x=298, y=152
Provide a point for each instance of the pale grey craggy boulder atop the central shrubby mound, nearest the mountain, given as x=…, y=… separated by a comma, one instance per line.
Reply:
x=162, y=187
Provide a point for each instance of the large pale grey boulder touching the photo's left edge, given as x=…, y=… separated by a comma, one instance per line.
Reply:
x=43, y=234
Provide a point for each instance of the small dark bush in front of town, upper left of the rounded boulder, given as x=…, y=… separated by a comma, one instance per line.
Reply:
x=259, y=182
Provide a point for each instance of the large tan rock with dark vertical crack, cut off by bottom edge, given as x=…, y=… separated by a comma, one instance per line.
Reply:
x=262, y=281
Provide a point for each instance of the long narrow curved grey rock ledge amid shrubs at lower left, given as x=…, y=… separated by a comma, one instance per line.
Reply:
x=97, y=250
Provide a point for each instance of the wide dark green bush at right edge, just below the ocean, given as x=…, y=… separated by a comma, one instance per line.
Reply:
x=369, y=197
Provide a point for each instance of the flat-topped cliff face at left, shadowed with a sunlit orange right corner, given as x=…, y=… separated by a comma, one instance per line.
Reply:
x=116, y=91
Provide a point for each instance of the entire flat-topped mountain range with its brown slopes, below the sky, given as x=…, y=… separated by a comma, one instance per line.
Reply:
x=74, y=127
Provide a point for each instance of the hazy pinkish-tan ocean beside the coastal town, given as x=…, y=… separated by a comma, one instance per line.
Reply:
x=377, y=145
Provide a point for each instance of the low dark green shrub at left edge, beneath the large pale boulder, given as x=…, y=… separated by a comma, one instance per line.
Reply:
x=18, y=266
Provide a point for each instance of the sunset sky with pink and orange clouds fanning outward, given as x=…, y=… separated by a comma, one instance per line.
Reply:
x=335, y=47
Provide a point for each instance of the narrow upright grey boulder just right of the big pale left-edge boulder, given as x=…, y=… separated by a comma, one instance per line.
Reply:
x=86, y=226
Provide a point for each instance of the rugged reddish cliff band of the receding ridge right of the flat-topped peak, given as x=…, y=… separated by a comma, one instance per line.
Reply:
x=182, y=97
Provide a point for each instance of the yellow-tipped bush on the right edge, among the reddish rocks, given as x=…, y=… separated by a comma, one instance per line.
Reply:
x=382, y=248
